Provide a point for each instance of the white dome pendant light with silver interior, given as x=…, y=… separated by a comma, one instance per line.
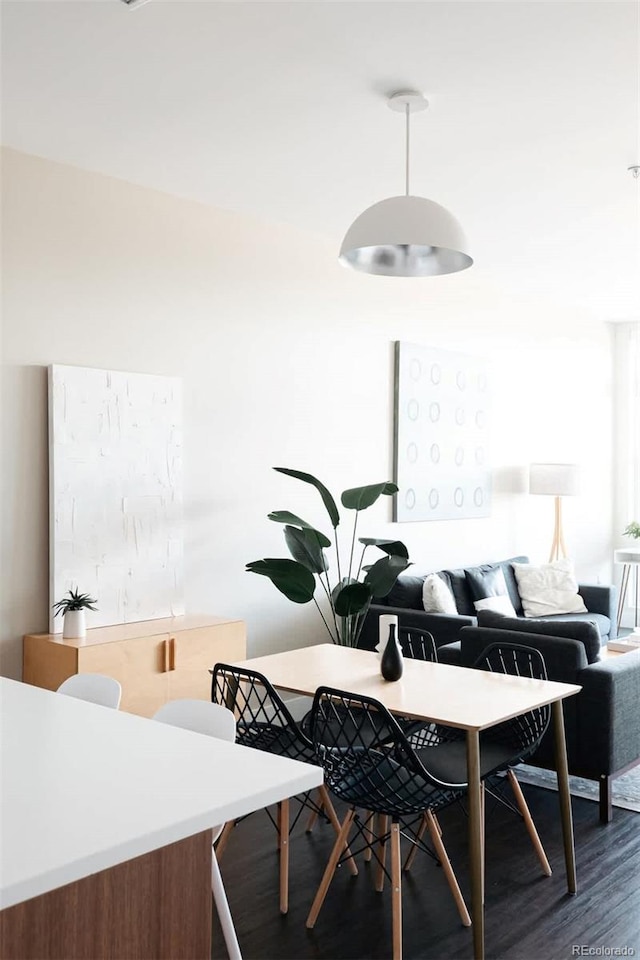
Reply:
x=406, y=236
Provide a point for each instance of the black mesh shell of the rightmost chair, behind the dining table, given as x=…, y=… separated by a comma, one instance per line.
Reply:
x=524, y=733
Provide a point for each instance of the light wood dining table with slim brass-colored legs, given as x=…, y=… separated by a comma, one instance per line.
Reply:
x=470, y=700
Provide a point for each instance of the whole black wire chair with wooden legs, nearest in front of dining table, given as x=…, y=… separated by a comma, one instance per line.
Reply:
x=370, y=764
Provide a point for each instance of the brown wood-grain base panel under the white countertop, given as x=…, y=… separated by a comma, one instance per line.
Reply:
x=155, y=907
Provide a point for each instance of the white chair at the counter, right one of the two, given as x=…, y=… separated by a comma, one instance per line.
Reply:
x=201, y=716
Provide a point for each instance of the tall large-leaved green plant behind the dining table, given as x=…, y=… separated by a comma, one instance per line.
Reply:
x=348, y=596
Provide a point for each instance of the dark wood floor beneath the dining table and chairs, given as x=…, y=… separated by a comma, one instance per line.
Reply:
x=528, y=916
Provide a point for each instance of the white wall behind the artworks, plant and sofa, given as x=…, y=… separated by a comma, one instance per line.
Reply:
x=286, y=359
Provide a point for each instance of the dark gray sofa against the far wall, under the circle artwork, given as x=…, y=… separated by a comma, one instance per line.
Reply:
x=405, y=600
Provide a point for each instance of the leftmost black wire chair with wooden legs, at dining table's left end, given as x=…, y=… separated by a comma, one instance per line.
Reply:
x=264, y=723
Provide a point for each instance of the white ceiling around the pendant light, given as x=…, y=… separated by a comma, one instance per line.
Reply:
x=277, y=109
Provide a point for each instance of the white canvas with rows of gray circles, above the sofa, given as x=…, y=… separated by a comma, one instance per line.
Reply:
x=442, y=420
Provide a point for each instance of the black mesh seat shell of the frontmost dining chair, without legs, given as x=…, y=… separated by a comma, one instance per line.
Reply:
x=367, y=759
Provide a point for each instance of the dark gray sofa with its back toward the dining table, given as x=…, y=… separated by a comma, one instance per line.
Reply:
x=602, y=722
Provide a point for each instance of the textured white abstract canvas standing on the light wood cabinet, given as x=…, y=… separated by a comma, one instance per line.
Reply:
x=115, y=468
